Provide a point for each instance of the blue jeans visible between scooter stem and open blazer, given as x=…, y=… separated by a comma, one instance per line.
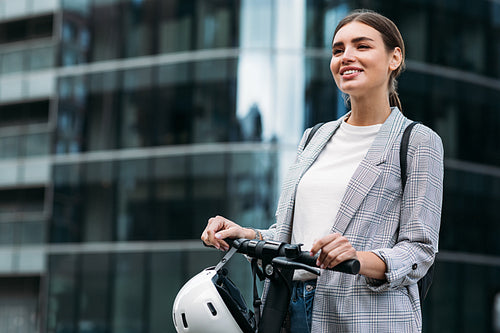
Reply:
x=300, y=308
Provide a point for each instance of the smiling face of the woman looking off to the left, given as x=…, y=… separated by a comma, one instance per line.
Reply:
x=361, y=64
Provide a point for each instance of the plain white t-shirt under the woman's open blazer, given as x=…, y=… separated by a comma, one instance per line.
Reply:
x=322, y=187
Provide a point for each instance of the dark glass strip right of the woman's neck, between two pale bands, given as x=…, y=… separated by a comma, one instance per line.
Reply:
x=464, y=114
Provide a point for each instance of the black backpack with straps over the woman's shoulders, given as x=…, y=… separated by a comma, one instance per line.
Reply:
x=425, y=282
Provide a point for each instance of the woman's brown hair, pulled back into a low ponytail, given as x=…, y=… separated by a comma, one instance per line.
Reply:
x=390, y=35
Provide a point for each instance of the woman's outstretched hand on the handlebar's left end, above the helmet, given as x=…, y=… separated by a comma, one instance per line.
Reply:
x=220, y=228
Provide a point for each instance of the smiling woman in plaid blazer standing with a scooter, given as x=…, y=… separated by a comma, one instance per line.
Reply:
x=343, y=196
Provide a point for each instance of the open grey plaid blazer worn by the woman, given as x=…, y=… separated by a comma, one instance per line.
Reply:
x=401, y=228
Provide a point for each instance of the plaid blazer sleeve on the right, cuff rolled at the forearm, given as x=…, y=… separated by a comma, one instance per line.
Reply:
x=417, y=242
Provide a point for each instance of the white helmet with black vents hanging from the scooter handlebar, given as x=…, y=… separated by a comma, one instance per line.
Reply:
x=210, y=302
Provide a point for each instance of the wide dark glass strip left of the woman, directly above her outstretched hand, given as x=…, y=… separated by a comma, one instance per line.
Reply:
x=165, y=198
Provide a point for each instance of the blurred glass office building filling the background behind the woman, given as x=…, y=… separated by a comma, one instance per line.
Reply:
x=126, y=124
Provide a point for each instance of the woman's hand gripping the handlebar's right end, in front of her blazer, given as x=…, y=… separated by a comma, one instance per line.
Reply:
x=335, y=249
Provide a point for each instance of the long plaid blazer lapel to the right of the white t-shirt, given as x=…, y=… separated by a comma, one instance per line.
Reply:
x=368, y=170
